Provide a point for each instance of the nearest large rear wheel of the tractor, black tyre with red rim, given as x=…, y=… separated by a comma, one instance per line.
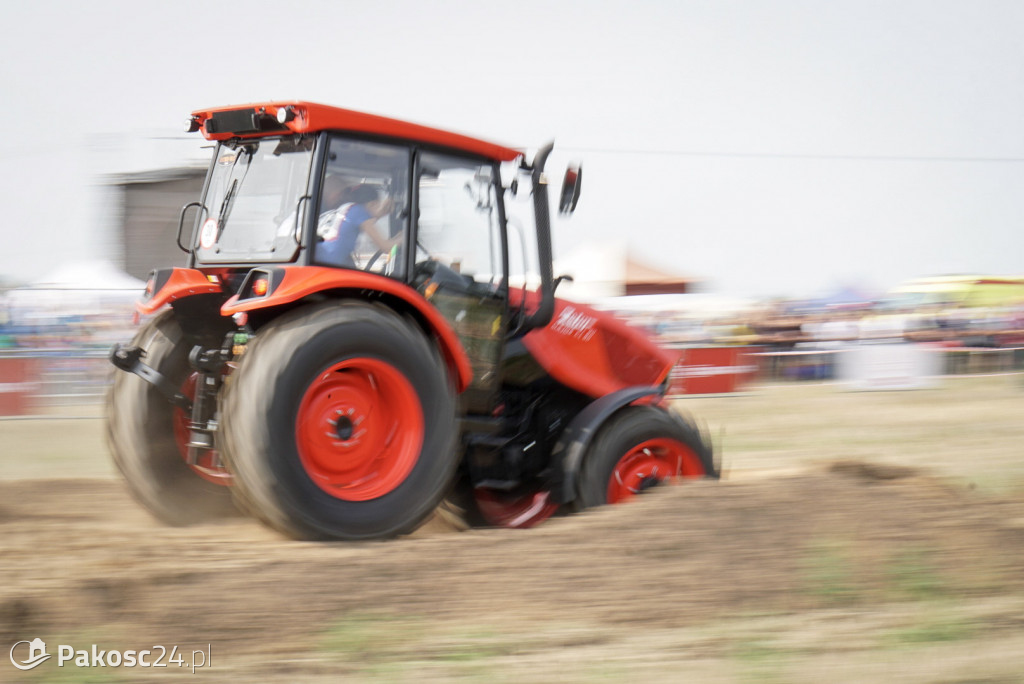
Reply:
x=340, y=423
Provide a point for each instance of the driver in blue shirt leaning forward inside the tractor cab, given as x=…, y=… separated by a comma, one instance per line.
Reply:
x=340, y=228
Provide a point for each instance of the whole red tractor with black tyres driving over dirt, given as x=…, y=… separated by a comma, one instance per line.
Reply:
x=368, y=325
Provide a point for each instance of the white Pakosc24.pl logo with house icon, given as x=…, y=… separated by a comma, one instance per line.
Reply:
x=27, y=658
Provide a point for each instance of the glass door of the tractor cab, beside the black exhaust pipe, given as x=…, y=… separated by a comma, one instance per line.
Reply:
x=460, y=263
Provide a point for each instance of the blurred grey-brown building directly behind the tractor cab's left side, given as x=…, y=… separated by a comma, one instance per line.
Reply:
x=151, y=205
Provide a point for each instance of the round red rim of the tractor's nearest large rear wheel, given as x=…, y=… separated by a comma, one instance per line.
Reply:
x=360, y=430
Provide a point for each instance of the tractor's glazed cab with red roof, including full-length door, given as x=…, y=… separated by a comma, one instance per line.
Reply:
x=429, y=217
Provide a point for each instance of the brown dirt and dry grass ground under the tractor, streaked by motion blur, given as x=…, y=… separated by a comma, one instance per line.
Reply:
x=857, y=538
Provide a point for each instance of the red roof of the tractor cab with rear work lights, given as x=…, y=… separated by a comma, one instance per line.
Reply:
x=262, y=119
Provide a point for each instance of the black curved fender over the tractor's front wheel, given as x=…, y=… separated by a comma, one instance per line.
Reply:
x=569, y=452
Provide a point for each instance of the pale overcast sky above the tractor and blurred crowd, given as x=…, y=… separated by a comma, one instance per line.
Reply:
x=770, y=148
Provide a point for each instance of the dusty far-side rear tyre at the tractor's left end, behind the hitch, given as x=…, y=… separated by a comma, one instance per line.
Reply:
x=143, y=440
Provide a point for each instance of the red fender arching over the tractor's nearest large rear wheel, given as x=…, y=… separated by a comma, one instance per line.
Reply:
x=285, y=285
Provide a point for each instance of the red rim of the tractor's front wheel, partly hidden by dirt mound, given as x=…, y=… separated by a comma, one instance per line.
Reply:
x=652, y=462
